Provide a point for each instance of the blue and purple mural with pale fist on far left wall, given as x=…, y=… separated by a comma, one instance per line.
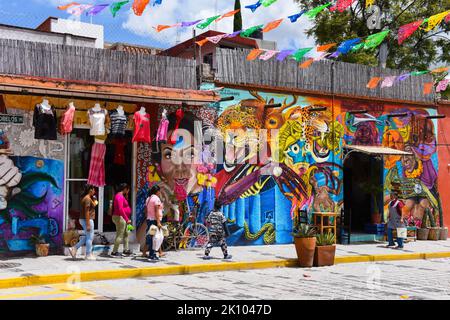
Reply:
x=31, y=202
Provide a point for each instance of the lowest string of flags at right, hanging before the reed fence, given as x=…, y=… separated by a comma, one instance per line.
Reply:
x=389, y=81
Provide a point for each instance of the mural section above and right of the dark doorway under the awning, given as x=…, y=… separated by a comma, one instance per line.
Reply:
x=413, y=176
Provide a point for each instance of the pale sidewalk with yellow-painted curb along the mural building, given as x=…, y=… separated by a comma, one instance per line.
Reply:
x=26, y=271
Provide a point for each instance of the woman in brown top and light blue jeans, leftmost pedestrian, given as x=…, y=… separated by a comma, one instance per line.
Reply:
x=87, y=217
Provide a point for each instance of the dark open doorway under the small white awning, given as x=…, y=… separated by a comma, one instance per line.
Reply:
x=363, y=181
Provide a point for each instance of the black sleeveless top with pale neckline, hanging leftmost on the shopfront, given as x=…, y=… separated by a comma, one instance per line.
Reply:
x=44, y=122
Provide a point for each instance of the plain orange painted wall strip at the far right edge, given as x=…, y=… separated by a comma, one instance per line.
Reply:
x=444, y=162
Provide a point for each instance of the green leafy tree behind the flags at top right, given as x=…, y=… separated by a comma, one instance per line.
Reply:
x=423, y=50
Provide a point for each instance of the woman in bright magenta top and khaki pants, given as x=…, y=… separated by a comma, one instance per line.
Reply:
x=121, y=218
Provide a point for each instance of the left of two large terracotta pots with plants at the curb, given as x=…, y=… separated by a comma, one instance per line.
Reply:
x=305, y=244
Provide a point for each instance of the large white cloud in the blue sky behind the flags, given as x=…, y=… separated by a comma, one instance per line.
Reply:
x=288, y=35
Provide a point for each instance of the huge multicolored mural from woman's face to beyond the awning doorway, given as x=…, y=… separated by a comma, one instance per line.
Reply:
x=283, y=154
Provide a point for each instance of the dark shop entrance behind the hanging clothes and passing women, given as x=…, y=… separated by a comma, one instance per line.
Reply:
x=118, y=170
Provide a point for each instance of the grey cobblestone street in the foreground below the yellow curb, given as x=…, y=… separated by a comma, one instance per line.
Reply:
x=415, y=280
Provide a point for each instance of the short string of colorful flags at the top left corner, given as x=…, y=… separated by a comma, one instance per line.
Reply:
x=77, y=9
